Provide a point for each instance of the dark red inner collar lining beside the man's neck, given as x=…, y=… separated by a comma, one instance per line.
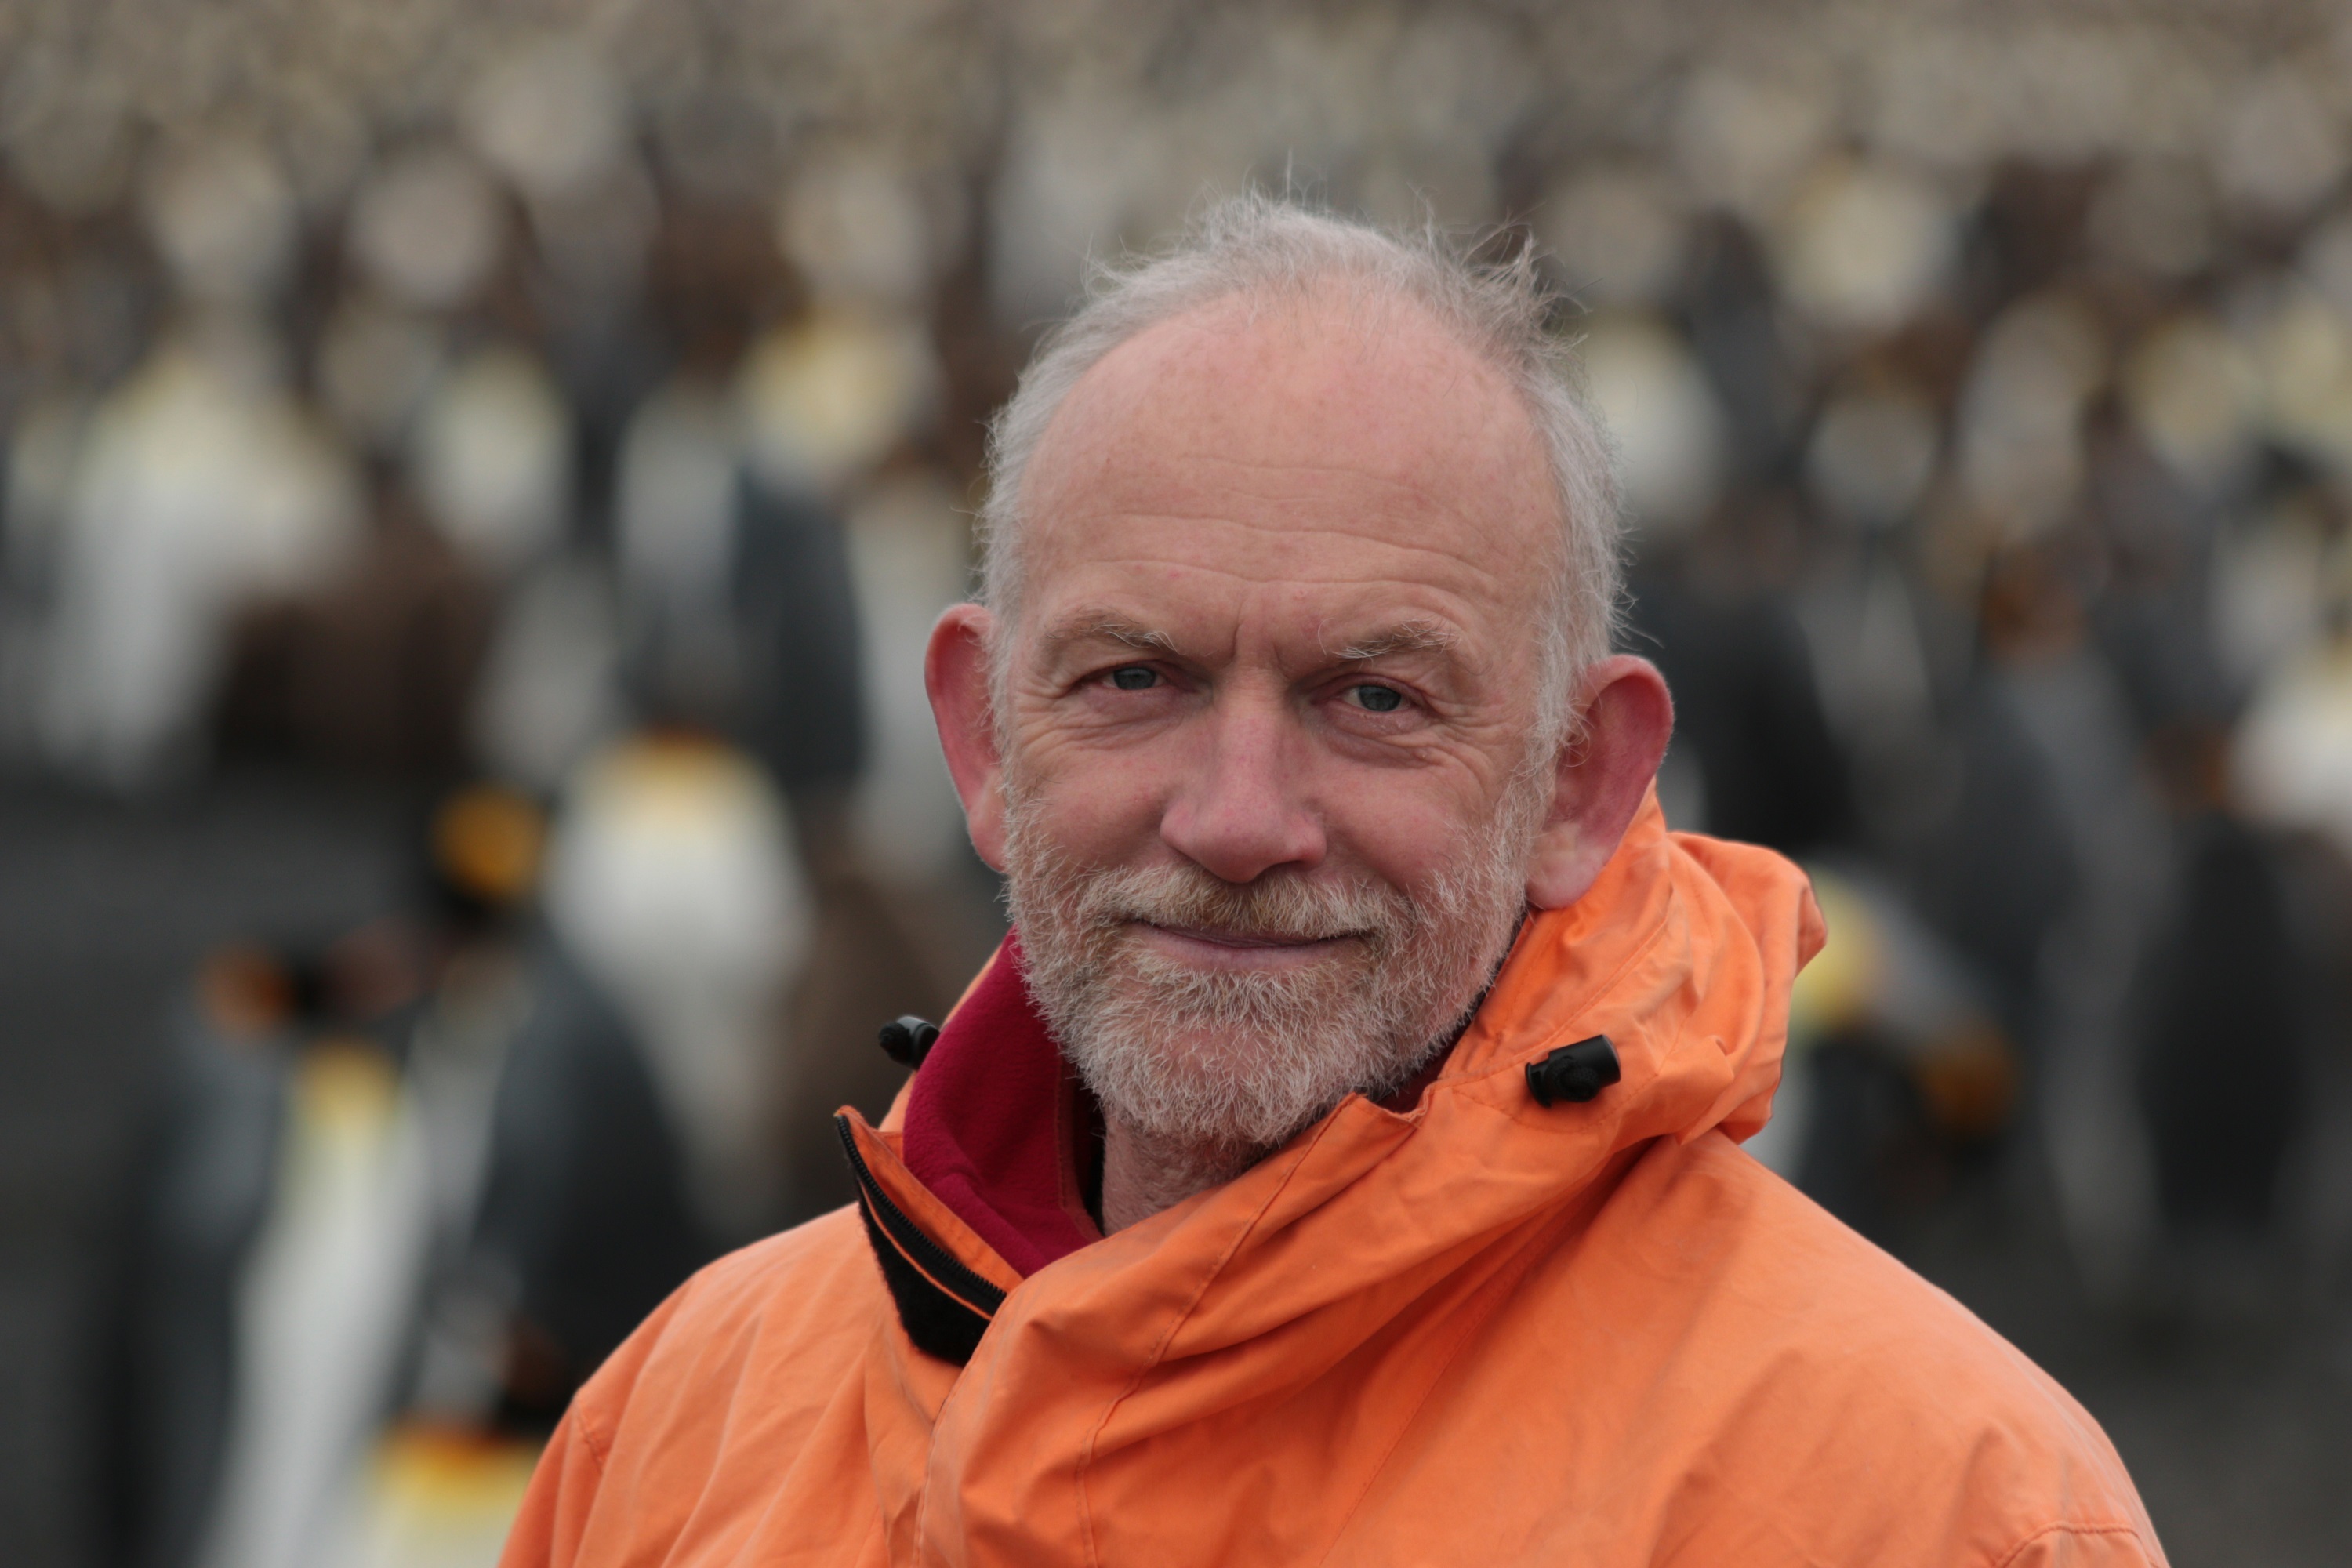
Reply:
x=975, y=1134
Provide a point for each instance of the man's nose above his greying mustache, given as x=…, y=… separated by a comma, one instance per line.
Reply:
x=1241, y=808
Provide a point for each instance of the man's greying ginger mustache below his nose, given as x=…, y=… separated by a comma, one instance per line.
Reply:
x=1281, y=906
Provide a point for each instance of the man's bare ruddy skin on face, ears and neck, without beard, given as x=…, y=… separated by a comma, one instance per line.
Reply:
x=1283, y=575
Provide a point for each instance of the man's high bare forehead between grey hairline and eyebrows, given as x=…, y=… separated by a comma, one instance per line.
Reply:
x=1339, y=445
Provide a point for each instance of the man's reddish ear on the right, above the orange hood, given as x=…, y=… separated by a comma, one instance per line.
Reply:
x=1626, y=725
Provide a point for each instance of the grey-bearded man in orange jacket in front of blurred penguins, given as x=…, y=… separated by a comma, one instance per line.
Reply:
x=1339, y=1165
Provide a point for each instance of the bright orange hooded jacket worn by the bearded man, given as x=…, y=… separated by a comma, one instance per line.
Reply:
x=1476, y=1332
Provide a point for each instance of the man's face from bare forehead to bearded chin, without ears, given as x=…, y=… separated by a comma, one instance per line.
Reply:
x=1269, y=709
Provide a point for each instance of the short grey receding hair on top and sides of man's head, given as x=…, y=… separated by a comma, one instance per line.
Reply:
x=1262, y=246
